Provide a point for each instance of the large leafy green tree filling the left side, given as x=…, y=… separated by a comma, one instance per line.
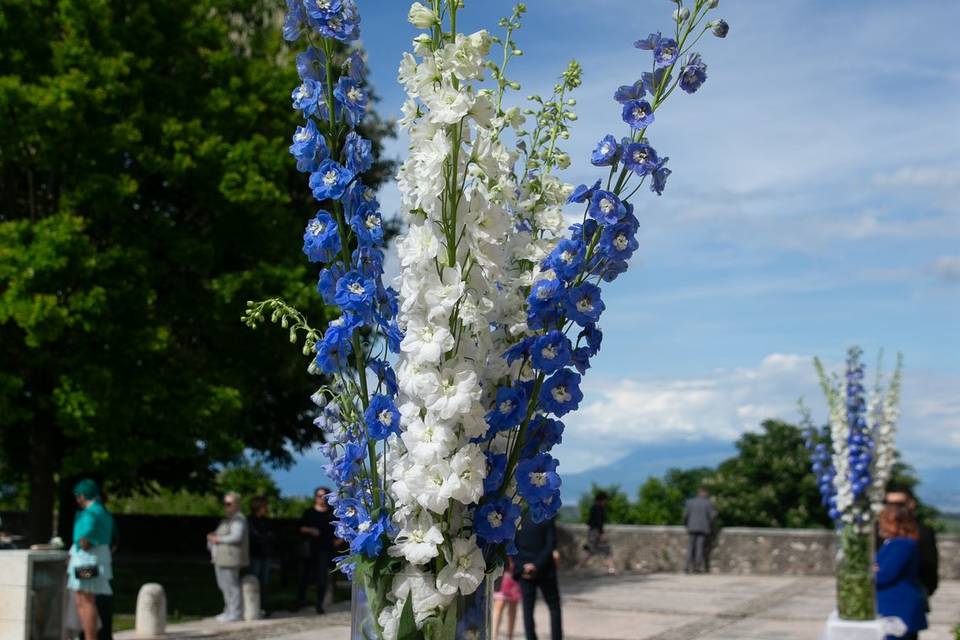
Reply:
x=145, y=195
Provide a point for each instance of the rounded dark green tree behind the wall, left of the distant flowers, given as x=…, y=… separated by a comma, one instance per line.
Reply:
x=769, y=482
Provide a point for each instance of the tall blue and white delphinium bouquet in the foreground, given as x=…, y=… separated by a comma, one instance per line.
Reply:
x=444, y=397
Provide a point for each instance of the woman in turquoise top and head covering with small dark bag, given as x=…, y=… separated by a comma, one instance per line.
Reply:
x=90, y=568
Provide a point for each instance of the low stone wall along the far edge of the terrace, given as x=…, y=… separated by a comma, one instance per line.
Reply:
x=737, y=550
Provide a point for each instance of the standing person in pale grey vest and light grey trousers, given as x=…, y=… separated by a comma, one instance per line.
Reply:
x=230, y=552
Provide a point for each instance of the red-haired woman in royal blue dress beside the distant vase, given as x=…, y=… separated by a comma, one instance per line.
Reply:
x=898, y=566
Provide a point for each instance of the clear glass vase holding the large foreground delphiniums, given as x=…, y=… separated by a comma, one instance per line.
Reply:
x=465, y=618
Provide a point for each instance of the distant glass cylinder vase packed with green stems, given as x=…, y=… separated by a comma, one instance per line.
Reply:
x=856, y=594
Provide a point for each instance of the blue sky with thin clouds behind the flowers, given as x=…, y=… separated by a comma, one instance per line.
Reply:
x=814, y=204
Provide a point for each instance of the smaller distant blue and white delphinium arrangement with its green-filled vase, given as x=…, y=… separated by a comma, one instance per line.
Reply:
x=853, y=471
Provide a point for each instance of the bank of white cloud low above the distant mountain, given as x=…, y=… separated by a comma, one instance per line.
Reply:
x=622, y=415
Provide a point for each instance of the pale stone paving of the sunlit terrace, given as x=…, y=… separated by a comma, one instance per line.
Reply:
x=658, y=607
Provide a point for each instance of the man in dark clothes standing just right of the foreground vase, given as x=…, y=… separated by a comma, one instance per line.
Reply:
x=533, y=568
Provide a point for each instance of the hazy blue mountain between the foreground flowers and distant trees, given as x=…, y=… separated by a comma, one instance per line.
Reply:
x=633, y=469
